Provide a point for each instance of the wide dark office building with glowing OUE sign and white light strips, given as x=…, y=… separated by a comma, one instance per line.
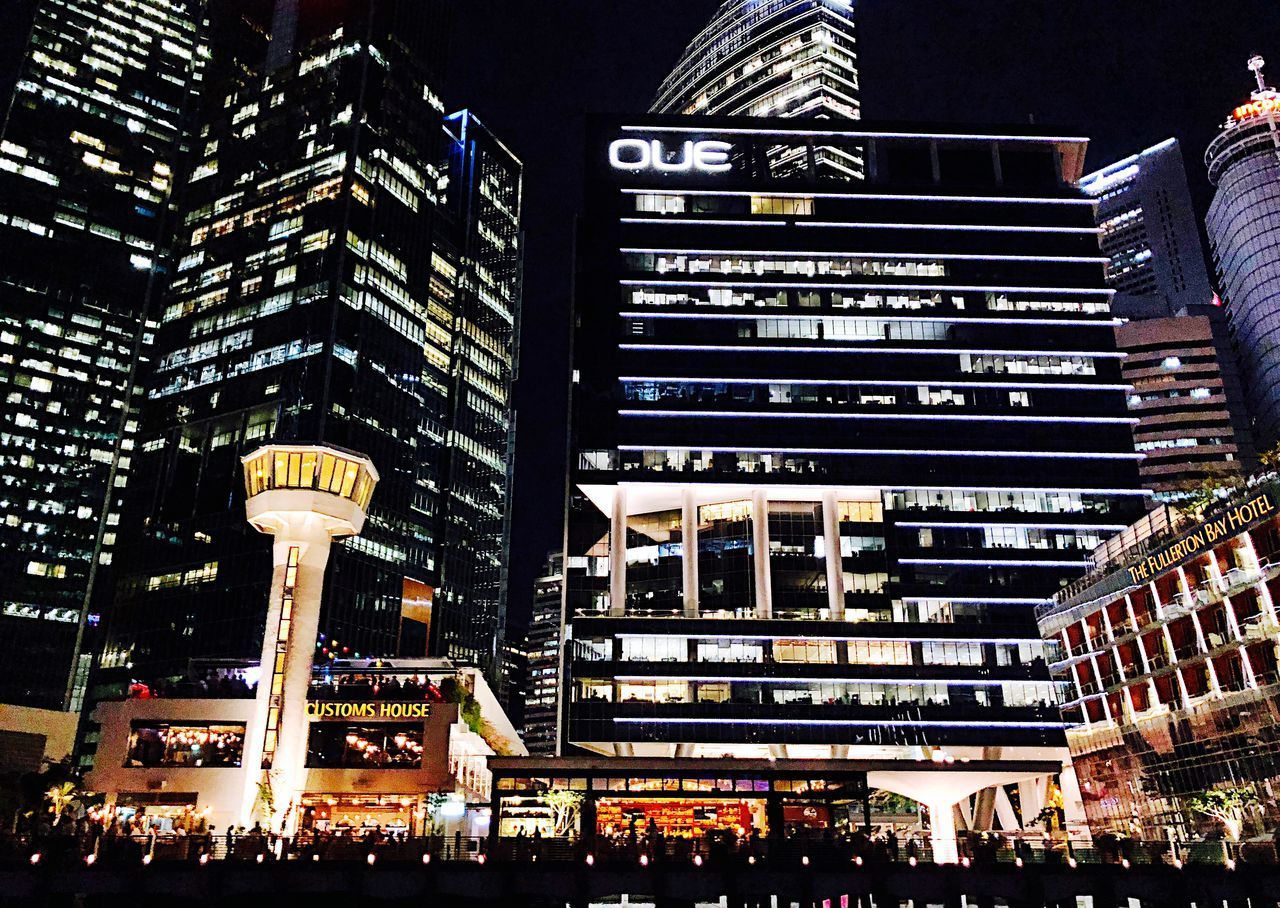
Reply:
x=831, y=446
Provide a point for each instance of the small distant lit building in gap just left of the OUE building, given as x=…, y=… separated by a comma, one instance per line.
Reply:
x=542, y=692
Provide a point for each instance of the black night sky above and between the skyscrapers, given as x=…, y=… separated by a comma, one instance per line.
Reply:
x=1128, y=74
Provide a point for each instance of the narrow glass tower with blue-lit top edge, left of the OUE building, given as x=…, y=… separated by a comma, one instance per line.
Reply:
x=483, y=202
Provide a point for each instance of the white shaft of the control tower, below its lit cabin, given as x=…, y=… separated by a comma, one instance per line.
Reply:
x=289, y=653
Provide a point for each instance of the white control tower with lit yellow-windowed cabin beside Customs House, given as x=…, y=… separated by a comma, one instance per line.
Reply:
x=305, y=496
